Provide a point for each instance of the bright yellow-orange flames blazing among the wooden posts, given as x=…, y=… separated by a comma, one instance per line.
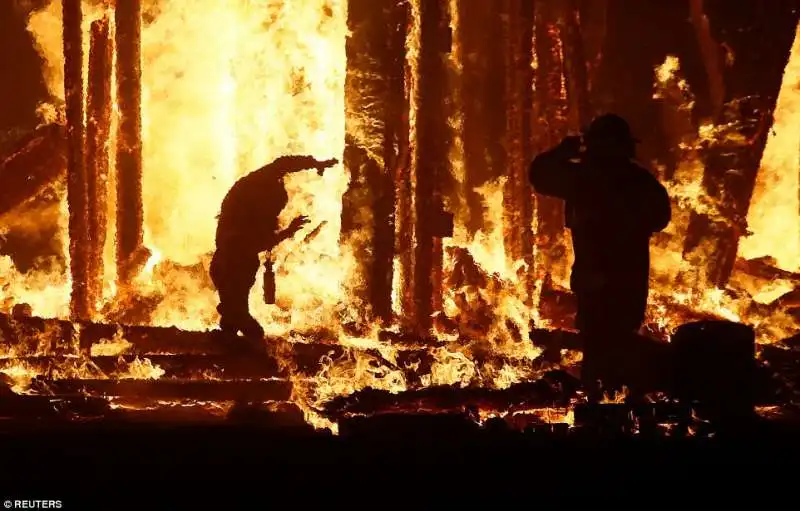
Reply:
x=229, y=86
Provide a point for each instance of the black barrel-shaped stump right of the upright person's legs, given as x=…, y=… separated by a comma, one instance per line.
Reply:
x=714, y=366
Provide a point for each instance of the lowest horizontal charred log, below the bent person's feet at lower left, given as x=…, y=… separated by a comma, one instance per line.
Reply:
x=248, y=391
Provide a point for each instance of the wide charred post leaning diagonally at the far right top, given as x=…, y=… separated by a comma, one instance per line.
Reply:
x=734, y=150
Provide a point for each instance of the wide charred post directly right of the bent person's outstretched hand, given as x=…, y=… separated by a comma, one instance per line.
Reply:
x=375, y=92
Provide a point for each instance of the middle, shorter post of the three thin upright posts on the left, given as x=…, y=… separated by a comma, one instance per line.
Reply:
x=97, y=146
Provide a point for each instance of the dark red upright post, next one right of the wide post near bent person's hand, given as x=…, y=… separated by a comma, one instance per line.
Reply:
x=430, y=163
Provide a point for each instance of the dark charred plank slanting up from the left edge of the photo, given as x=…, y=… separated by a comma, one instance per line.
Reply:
x=34, y=162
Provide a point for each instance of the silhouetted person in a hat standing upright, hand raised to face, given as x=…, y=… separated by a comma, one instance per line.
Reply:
x=613, y=206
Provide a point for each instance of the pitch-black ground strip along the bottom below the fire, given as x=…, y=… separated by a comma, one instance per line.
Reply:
x=118, y=465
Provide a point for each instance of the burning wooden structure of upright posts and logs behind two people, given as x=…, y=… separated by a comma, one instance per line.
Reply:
x=443, y=100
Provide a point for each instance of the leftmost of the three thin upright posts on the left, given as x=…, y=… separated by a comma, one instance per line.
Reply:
x=76, y=167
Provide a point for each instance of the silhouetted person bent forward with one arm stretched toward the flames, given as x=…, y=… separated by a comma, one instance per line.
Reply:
x=248, y=226
